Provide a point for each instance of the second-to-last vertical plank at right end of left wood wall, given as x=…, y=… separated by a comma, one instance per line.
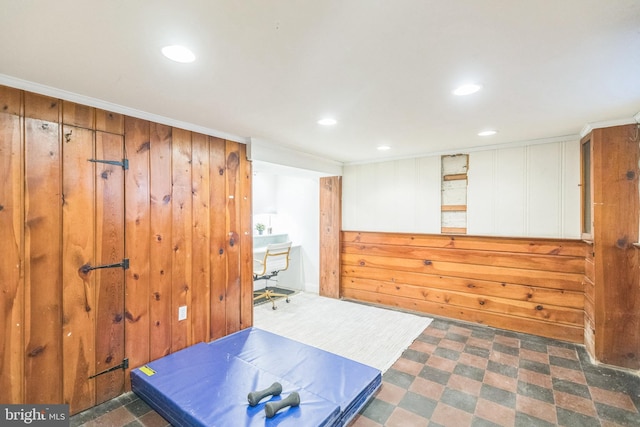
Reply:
x=233, y=282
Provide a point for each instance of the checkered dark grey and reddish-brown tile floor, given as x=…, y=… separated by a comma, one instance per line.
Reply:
x=459, y=374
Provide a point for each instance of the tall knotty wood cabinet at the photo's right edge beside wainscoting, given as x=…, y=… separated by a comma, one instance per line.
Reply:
x=610, y=223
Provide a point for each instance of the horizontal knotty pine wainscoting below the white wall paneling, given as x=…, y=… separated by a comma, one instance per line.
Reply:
x=526, y=285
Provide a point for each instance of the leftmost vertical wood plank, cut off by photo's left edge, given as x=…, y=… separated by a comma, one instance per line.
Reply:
x=11, y=247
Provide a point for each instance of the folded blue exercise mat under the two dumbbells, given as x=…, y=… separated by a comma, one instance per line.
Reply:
x=207, y=384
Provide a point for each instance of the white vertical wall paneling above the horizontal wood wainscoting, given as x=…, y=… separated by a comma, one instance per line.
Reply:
x=521, y=191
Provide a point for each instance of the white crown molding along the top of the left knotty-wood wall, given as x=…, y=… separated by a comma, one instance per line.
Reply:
x=109, y=106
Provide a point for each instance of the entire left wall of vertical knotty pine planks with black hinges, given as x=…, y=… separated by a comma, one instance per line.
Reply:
x=181, y=213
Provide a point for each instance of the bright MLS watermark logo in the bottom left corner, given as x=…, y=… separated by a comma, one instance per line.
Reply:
x=34, y=415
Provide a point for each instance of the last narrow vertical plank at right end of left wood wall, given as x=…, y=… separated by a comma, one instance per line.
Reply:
x=246, y=243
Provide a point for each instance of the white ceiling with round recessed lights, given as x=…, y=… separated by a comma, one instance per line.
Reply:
x=384, y=69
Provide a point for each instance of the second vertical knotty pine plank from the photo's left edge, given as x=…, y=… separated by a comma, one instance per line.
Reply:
x=43, y=224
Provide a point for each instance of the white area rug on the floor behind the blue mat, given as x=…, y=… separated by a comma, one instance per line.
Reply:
x=370, y=335
